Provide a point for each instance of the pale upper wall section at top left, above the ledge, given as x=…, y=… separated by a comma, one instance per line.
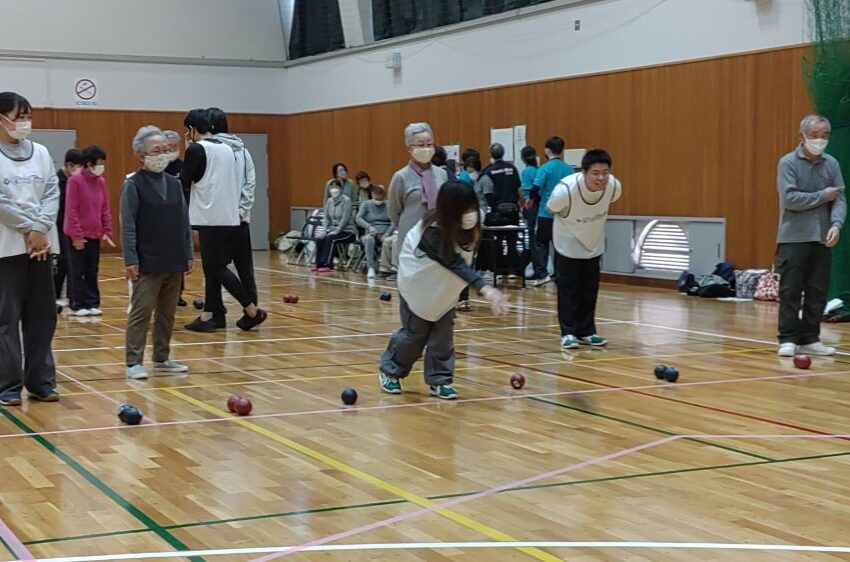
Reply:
x=212, y=29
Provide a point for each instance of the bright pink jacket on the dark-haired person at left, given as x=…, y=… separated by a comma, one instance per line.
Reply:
x=87, y=213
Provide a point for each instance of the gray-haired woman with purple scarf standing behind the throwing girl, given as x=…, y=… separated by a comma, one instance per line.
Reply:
x=414, y=188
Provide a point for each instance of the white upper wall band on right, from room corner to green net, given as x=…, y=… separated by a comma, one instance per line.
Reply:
x=615, y=34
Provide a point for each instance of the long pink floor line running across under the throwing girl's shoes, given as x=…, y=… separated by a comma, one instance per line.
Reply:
x=428, y=403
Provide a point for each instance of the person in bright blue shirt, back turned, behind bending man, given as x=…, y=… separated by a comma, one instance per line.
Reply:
x=548, y=176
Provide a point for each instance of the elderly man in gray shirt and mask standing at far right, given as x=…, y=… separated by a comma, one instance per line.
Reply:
x=812, y=209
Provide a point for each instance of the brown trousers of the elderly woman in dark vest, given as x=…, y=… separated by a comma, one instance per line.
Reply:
x=152, y=292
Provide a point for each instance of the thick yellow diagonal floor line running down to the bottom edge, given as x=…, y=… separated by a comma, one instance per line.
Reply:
x=365, y=477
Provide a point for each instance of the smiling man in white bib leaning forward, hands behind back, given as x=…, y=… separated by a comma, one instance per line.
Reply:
x=580, y=204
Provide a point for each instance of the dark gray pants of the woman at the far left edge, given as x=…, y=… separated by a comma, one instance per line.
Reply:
x=28, y=313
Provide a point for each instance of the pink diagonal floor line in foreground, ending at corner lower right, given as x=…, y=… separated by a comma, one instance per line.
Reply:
x=449, y=503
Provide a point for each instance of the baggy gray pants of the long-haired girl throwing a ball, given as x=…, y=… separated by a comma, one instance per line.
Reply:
x=415, y=334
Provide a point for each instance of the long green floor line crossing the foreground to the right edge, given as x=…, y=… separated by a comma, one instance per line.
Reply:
x=444, y=497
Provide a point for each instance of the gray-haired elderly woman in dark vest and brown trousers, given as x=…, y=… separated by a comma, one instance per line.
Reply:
x=157, y=247
